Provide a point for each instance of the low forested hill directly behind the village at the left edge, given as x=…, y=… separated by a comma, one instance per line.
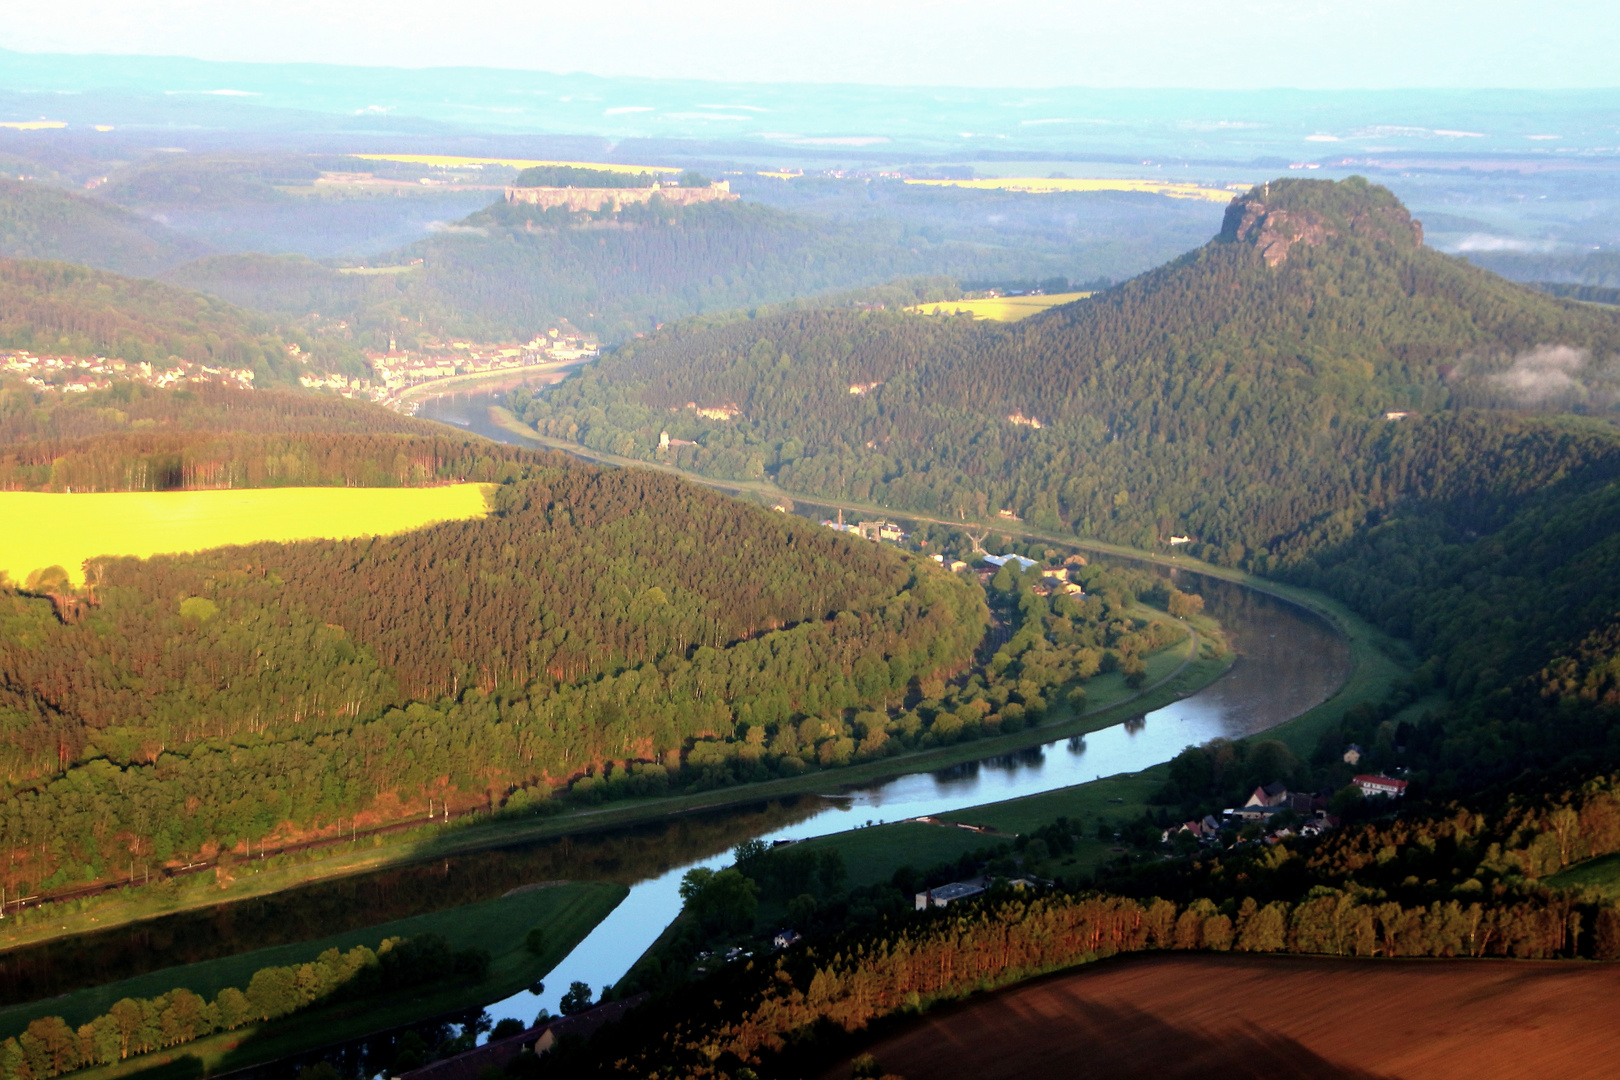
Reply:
x=58, y=308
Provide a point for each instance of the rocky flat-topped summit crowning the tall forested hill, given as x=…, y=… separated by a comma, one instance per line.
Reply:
x=1277, y=216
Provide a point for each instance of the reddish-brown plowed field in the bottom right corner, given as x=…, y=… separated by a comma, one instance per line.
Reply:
x=1209, y=1018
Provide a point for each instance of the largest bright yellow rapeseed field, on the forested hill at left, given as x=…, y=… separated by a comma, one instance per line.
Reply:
x=54, y=530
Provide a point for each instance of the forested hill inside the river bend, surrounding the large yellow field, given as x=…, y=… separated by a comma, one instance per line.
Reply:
x=594, y=618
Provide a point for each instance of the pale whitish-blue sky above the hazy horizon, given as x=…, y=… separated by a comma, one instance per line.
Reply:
x=1208, y=45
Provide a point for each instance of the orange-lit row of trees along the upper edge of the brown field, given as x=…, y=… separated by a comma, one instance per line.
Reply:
x=772, y=1010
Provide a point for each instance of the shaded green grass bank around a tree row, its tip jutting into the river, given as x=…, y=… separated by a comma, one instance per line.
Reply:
x=568, y=912
